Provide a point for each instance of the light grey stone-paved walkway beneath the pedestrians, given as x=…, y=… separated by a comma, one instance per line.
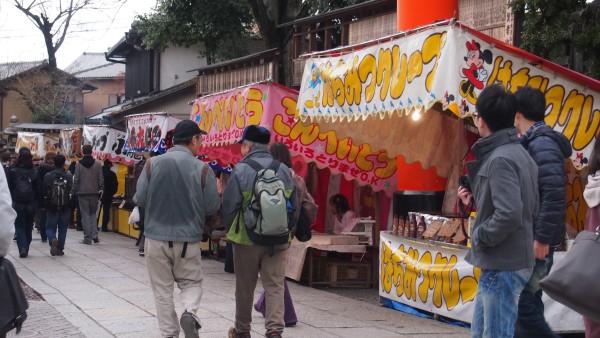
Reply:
x=103, y=290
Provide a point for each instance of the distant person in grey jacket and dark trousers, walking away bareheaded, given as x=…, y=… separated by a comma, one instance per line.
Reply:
x=88, y=185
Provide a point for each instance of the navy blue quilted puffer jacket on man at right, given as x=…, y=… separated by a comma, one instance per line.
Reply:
x=549, y=149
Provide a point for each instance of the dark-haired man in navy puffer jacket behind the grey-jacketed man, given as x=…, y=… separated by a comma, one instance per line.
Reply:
x=549, y=149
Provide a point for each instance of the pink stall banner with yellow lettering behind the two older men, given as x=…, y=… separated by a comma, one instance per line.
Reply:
x=225, y=115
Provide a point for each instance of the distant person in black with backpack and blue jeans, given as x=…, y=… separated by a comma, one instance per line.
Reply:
x=57, y=188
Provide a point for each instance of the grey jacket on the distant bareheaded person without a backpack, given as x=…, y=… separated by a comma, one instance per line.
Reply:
x=88, y=178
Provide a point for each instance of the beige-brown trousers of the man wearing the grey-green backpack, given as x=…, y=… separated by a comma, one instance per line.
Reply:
x=248, y=261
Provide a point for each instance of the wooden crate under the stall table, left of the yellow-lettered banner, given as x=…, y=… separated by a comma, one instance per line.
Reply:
x=349, y=274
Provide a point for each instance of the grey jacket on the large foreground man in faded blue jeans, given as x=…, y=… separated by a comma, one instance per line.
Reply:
x=504, y=182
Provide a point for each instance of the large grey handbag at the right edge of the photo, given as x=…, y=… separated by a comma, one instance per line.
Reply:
x=574, y=280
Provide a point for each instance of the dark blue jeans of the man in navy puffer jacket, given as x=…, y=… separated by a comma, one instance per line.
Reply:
x=531, y=322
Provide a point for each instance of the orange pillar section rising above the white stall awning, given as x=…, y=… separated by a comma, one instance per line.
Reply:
x=414, y=13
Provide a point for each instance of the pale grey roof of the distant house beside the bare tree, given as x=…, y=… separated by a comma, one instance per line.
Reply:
x=94, y=66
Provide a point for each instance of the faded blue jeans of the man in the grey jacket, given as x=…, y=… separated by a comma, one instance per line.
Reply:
x=496, y=303
